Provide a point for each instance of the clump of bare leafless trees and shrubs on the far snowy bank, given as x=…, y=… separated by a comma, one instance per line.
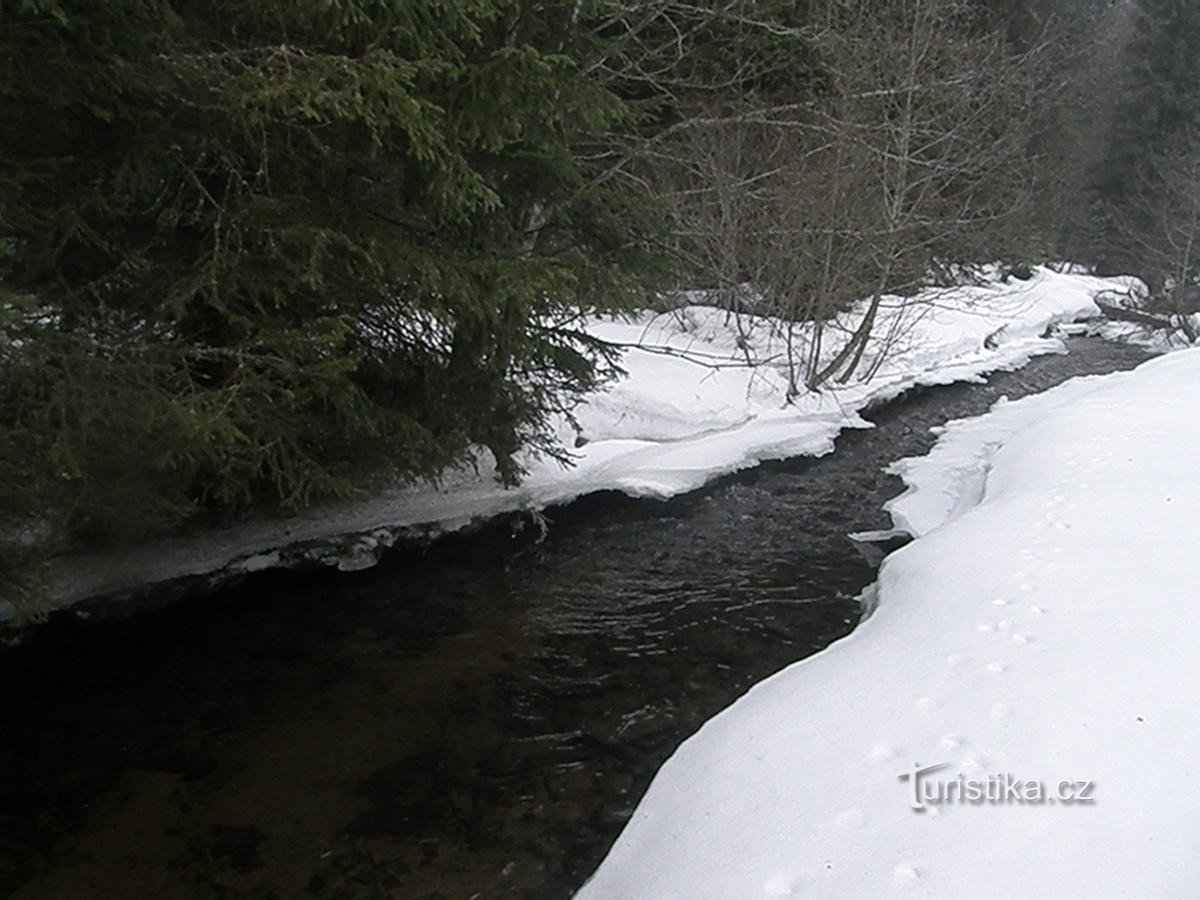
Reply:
x=908, y=153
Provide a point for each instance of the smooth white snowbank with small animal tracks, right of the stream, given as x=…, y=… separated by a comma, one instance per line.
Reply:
x=1043, y=626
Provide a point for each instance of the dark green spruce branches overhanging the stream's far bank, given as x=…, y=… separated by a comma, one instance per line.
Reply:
x=255, y=254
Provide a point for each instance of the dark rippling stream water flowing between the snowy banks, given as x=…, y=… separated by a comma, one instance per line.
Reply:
x=473, y=721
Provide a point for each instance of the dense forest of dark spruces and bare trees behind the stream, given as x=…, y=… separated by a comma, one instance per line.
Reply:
x=257, y=254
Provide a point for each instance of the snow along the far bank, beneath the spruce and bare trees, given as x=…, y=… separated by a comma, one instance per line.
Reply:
x=689, y=411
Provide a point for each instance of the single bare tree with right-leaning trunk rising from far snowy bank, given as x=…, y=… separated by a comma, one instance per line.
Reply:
x=941, y=115
